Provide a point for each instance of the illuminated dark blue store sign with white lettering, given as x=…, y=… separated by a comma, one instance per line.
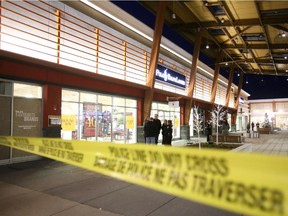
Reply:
x=167, y=75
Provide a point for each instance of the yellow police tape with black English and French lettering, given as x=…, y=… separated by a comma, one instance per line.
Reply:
x=252, y=184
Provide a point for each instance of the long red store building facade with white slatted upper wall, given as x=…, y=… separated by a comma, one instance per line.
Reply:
x=66, y=74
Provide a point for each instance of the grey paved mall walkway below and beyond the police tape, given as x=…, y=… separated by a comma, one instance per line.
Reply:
x=47, y=187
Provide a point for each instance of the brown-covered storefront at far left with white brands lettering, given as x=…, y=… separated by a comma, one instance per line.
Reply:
x=21, y=115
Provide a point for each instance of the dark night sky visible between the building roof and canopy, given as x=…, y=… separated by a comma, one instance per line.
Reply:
x=258, y=86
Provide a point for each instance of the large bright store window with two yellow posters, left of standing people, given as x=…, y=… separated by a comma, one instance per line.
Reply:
x=98, y=117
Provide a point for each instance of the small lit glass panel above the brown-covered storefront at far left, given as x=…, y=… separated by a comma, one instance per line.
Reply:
x=28, y=91
